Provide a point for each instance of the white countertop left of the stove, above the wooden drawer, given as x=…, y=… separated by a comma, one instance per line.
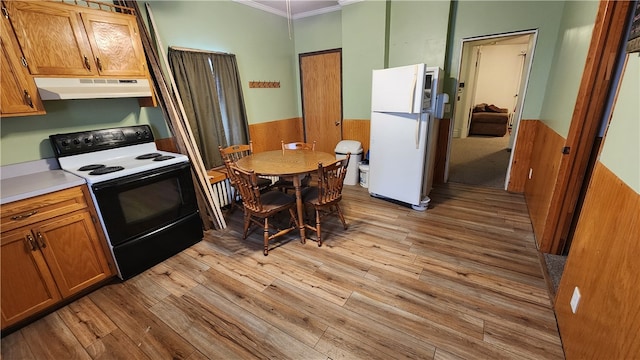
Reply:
x=25, y=180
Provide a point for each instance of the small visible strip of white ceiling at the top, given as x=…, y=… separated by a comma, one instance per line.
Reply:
x=299, y=8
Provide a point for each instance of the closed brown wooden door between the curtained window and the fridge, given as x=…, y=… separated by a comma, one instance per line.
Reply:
x=321, y=86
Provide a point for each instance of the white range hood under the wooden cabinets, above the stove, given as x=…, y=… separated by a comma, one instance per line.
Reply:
x=91, y=88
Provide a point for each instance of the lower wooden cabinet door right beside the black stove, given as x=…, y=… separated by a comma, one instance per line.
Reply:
x=71, y=247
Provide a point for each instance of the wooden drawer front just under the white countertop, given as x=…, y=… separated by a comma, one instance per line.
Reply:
x=43, y=207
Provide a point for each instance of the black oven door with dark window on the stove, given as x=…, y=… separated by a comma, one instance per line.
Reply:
x=142, y=203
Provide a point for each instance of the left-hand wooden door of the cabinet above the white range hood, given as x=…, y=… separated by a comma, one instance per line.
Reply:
x=52, y=38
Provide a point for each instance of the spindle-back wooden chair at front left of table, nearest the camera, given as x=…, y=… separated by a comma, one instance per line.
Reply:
x=260, y=207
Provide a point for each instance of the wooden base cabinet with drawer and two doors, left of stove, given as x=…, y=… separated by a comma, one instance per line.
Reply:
x=45, y=262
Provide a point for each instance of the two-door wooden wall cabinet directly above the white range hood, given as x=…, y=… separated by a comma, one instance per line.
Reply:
x=61, y=39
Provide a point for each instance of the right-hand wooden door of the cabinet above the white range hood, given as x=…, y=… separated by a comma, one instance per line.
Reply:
x=115, y=43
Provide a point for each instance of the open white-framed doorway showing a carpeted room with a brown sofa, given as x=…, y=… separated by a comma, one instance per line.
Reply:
x=493, y=70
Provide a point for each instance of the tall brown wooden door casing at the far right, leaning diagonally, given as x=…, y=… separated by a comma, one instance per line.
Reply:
x=609, y=31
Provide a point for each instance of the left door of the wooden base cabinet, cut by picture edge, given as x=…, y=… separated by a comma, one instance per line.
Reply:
x=27, y=285
